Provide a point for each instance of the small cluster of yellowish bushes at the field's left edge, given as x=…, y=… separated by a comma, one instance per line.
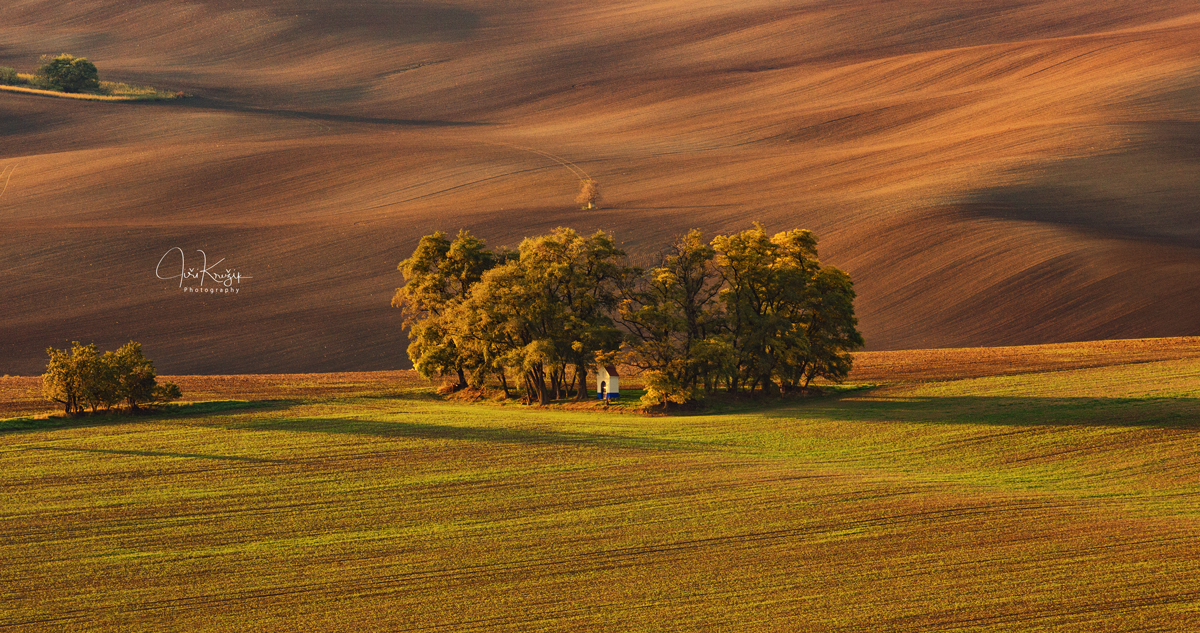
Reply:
x=83, y=378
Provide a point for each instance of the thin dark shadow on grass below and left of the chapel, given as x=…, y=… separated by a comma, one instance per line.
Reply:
x=473, y=435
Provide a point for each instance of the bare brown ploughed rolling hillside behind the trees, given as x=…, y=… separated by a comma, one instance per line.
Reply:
x=989, y=173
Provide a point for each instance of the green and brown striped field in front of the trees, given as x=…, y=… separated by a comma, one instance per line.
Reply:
x=1058, y=493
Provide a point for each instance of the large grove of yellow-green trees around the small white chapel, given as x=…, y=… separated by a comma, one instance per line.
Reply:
x=747, y=314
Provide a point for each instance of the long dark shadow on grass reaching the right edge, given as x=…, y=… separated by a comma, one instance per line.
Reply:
x=1004, y=411
